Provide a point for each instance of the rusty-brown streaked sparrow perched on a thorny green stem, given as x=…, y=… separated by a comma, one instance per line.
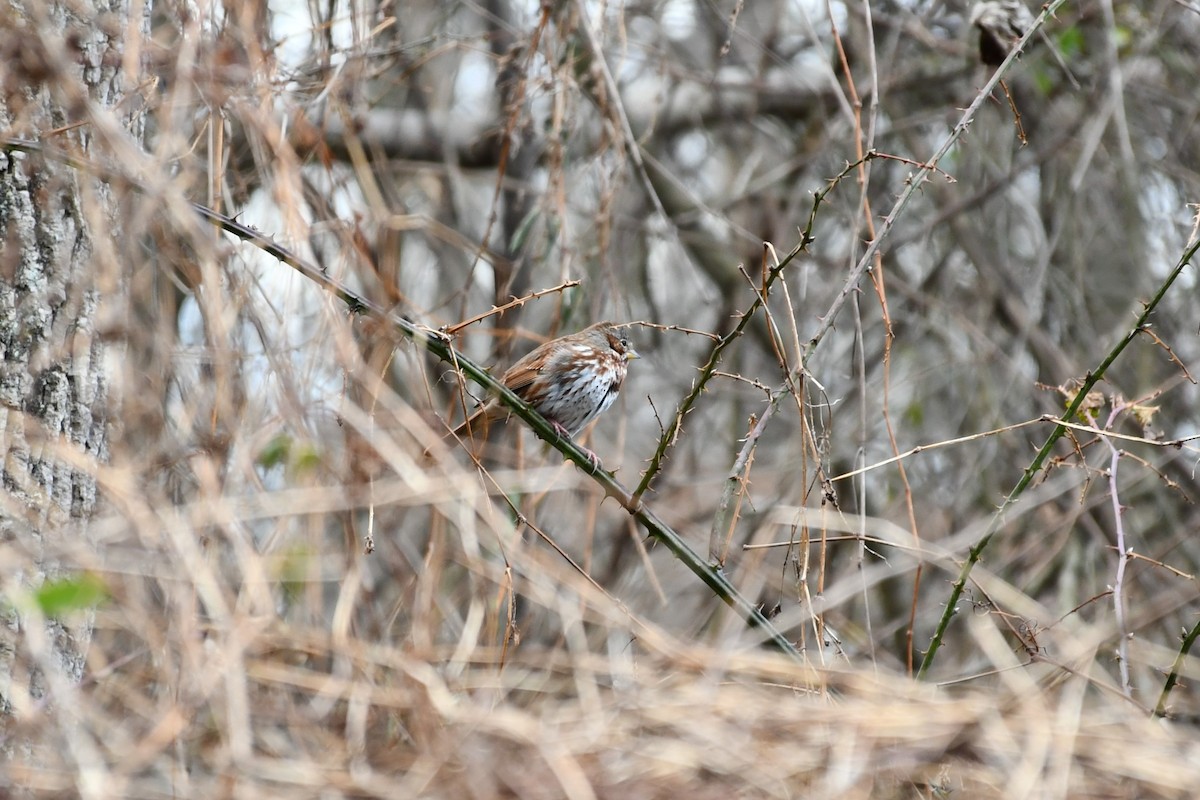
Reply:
x=569, y=381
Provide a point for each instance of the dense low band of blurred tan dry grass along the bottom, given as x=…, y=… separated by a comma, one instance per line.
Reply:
x=256, y=705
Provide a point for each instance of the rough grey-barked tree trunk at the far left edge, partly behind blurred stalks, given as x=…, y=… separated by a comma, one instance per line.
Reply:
x=58, y=243
